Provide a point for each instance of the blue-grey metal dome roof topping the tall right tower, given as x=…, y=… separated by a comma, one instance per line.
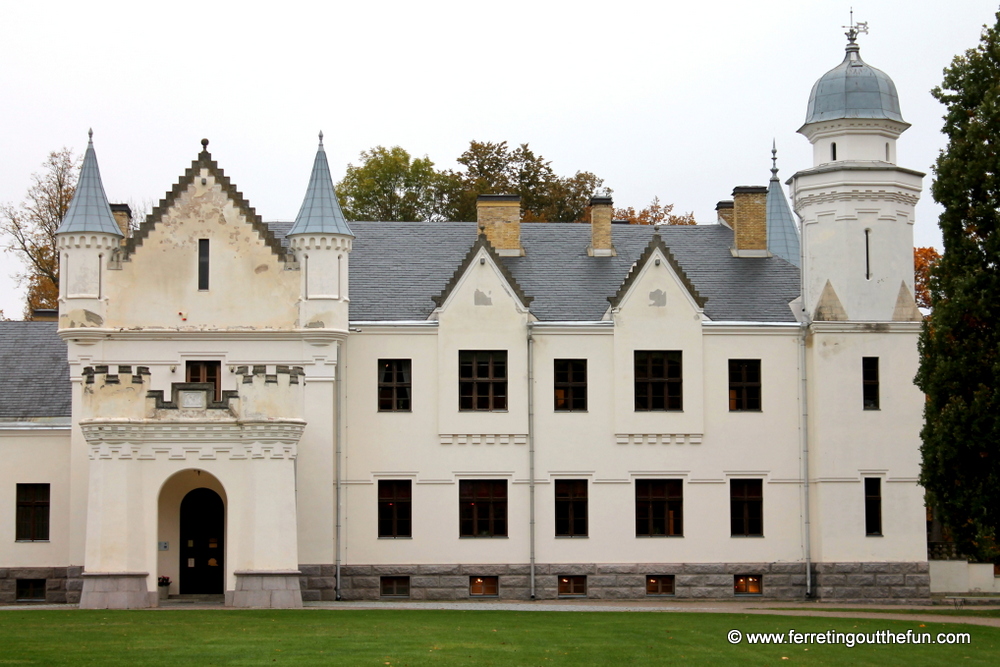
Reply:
x=853, y=89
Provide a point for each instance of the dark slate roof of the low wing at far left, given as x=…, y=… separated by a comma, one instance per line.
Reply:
x=36, y=373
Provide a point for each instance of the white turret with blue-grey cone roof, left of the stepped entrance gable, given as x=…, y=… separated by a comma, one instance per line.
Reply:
x=86, y=240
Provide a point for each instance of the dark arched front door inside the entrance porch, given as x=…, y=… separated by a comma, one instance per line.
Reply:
x=202, y=543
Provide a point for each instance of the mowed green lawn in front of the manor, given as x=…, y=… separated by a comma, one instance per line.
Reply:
x=432, y=637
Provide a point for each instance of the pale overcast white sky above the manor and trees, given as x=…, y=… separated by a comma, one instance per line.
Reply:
x=668, y=99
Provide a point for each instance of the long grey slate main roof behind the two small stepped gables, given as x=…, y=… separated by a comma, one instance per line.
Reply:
x=396, y=268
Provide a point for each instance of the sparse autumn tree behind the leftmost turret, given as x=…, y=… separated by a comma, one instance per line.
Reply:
x=31, y=228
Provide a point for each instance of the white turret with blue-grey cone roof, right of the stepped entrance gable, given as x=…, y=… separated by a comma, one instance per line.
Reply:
x=321, y=241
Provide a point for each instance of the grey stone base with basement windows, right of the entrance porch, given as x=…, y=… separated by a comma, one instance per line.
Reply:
x=884, y=582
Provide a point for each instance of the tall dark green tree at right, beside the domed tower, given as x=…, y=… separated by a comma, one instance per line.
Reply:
x=960, y=342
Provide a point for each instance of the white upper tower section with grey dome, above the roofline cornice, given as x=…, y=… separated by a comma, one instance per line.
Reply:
x=856, y=205
